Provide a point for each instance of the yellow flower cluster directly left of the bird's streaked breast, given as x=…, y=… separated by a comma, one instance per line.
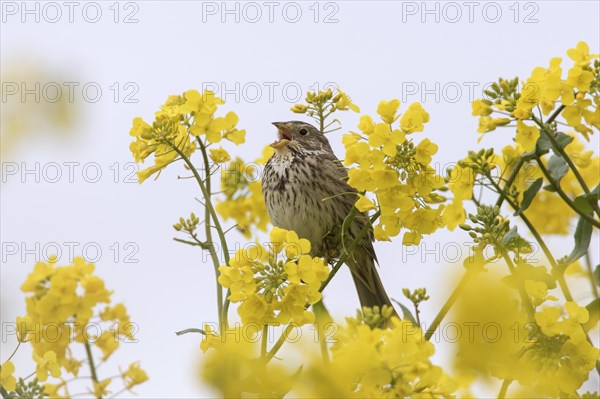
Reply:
x=243, y=200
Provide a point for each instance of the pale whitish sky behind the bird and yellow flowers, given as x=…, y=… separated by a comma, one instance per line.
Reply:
x=375, y=51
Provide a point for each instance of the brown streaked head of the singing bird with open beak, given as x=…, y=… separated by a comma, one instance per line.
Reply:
x=300, y=136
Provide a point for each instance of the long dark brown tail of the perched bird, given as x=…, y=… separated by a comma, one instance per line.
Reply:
x=367, y=281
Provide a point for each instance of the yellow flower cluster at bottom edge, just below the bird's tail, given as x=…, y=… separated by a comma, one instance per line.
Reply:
x=379, y=363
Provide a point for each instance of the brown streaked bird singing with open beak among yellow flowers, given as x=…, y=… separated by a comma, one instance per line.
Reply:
x=306, y=190
